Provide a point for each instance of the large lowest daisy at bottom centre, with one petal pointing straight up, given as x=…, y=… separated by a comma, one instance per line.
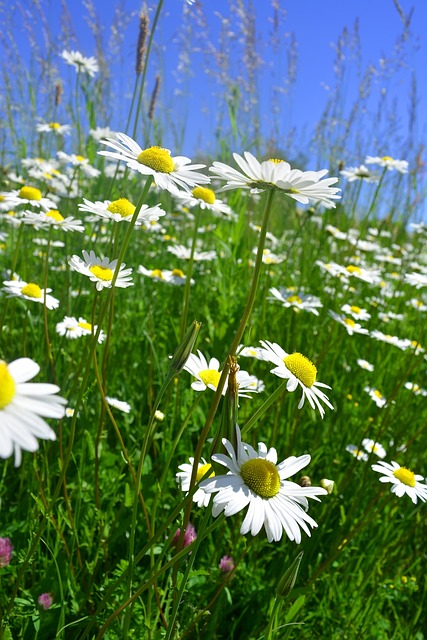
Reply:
x=256, y=481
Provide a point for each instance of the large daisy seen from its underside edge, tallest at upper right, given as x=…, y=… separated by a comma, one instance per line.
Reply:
x=303, y=186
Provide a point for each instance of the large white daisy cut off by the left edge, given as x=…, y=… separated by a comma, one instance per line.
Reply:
x=23, y=406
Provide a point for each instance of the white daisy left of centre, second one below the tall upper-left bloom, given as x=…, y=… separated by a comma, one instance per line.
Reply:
x=101, y=270
